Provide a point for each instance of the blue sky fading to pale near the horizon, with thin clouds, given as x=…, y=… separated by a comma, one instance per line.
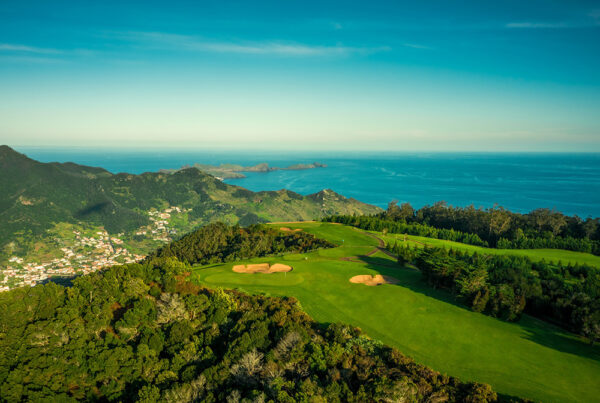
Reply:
x=301, y=75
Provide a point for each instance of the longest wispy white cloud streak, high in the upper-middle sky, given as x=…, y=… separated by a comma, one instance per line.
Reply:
x=193, y=44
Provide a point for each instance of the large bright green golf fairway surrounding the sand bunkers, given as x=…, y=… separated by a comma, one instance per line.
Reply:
x=530, y=359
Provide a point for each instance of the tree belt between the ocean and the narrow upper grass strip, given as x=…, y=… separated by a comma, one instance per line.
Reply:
x=495, y=227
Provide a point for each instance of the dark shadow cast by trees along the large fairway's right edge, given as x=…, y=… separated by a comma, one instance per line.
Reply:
x=537, y=331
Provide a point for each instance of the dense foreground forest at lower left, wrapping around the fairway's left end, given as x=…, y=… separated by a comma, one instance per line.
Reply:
x=144, y=332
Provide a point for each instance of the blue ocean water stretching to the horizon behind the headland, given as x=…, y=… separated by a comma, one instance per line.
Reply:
x=570, y=183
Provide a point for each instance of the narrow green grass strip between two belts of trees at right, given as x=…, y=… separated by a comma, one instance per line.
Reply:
x=554, y=255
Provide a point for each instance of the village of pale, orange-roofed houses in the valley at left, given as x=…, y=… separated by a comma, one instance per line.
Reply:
x=87, y=254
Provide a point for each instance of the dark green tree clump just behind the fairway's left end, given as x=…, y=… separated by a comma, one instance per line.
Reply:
x=217, y=243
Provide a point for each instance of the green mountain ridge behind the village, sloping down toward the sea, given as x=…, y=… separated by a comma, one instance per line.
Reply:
x=37, y=198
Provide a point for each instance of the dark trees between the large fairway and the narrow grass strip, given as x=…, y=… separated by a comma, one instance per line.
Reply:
x=507, y=286
